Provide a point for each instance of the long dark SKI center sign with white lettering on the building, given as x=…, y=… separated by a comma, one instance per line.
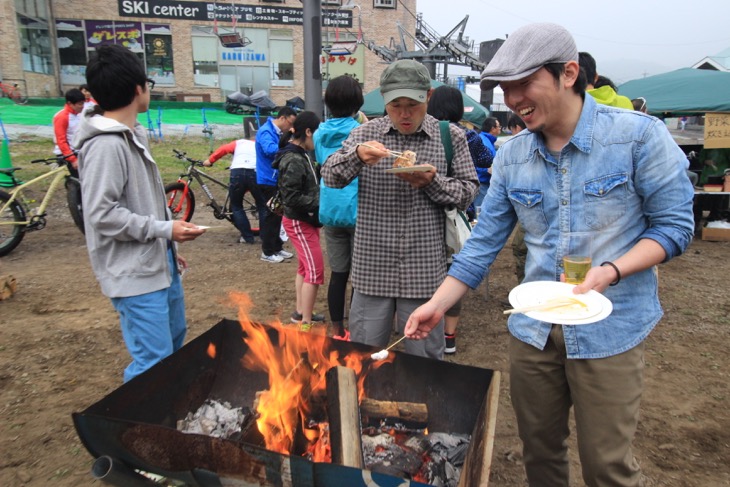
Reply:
x=209, y=11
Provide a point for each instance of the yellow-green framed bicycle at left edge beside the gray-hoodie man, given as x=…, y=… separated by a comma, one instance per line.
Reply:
x=20, y=213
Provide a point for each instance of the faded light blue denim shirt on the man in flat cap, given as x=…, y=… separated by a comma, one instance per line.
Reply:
x=622, y=177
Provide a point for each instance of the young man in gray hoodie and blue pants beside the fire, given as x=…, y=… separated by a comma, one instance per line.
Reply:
x=130, y=233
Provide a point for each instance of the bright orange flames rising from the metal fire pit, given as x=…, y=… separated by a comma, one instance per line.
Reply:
x=296, y=367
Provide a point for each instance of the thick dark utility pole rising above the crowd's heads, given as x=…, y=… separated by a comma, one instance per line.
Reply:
x=312, y=11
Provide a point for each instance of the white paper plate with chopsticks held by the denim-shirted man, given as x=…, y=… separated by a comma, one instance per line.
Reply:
x=598, y=306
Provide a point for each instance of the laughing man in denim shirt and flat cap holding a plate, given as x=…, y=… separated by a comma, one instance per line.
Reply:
x=581, y=167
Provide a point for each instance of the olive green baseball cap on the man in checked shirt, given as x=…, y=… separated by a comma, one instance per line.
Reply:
x=407, y=78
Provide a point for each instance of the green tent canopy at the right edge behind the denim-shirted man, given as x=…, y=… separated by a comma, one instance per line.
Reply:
x=685, y=91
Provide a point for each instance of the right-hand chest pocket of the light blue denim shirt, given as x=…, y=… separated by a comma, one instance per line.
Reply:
x=606, y=199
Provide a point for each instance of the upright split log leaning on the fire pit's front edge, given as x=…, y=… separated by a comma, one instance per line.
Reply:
x=344, y=417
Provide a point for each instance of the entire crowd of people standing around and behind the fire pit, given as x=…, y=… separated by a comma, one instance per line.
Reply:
x=564, y=170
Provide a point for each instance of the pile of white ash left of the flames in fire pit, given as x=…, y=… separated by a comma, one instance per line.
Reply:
x=213, y=418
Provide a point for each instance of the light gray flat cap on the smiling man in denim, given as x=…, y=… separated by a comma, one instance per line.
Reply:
x=528, y=49
